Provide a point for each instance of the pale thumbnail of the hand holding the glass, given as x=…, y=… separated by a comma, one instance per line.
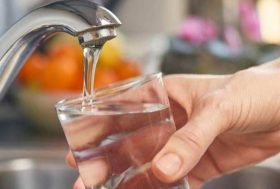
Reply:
x=169, y=164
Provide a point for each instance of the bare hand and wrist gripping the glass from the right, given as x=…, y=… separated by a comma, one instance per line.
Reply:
x=223, y=123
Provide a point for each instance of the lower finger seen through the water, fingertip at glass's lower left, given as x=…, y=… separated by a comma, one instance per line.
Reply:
x=115, y=156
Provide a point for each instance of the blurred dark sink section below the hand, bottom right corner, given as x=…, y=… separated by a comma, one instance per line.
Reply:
x=248, y=178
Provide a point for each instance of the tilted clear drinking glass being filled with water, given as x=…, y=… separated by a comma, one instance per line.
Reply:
x=115, y=134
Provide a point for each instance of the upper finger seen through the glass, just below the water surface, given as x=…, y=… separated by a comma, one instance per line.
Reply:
x=87, y=131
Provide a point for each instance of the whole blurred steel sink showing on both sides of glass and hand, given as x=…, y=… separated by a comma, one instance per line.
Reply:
x=46, y=169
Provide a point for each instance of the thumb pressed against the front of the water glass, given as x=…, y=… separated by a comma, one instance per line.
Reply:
x=186, y=146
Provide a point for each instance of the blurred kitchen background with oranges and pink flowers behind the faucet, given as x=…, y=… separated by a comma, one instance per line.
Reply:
x=182, y=36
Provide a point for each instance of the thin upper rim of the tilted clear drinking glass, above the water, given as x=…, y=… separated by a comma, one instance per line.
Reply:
x=111, y=90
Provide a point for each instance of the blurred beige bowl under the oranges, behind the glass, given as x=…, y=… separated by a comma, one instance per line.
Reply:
x=38, y=108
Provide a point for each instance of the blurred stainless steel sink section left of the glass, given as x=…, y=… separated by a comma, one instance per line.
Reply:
x=37, y=170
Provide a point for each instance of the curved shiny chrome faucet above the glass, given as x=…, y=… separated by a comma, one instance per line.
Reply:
x=91, y=23
